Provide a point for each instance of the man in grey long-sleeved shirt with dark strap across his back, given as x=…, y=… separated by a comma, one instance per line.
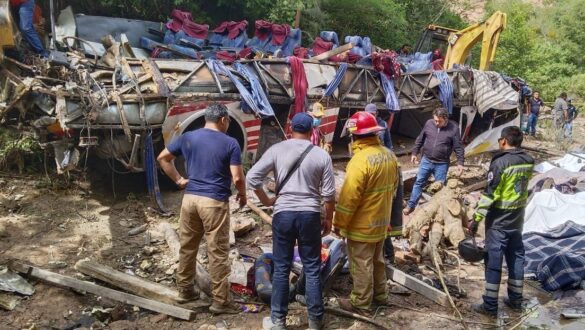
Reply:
x=297, y=215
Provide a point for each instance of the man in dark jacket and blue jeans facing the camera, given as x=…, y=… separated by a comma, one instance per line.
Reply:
x=437, y=140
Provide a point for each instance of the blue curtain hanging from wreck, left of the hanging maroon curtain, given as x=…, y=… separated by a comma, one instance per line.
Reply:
x=257, y=100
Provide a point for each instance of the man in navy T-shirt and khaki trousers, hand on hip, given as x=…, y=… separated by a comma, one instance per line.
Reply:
x=213, y=161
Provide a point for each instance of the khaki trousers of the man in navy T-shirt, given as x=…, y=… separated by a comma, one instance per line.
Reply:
x=203, y=216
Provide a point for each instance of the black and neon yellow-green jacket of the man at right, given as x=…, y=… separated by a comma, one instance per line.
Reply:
x=503, y=201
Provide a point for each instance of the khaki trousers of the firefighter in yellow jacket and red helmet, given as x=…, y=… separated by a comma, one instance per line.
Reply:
x=367, y=269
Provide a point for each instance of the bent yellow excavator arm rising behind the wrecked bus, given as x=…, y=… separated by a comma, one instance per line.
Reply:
x=461, y=42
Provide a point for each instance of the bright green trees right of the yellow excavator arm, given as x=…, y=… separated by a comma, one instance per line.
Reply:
x=544, y=45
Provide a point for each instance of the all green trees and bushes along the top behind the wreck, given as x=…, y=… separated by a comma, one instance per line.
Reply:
x=544, y=42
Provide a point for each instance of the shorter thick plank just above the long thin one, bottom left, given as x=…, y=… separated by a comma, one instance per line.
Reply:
x=133, y=284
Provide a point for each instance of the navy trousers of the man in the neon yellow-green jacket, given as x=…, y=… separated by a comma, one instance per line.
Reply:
x=500, y=244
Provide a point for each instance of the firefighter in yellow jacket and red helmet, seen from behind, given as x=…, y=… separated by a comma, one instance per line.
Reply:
x=363, y=212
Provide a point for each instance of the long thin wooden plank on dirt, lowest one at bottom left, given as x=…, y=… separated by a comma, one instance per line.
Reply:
x=69, y=282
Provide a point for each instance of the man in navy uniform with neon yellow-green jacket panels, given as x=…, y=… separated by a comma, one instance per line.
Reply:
x=502, y=206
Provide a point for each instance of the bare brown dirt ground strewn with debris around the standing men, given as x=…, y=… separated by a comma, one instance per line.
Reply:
x=53, y=223
